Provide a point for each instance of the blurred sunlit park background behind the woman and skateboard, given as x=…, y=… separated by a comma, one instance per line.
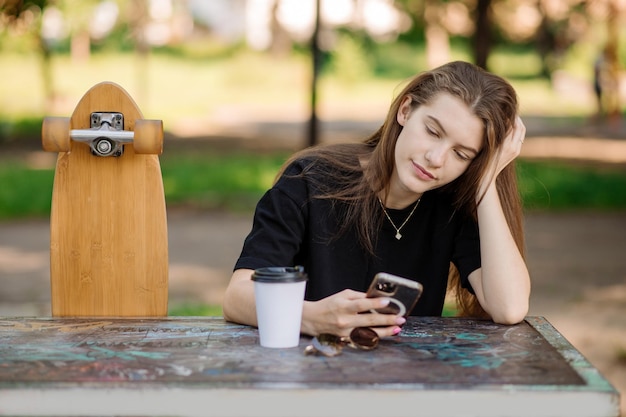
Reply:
x=240, y=84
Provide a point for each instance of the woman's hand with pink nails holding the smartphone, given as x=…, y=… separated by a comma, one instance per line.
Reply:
x=339, y=313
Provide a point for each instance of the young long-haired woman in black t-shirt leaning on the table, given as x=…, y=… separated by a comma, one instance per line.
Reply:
x=431, y=196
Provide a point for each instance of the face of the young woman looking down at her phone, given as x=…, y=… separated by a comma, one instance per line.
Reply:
x=436, y=145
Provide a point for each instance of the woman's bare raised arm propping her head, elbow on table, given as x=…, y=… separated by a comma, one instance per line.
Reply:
x=502, y=284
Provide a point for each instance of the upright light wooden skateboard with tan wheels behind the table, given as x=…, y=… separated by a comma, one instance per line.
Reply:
x=108, y=223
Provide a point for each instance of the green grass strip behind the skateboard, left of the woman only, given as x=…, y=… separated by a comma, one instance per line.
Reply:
x=232, y=182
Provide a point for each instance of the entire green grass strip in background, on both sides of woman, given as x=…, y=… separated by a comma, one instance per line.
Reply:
x=235, y=182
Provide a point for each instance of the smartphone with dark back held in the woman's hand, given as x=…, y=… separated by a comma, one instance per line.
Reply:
x=402, y=292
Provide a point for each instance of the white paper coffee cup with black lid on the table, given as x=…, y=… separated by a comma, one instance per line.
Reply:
x=279, y=297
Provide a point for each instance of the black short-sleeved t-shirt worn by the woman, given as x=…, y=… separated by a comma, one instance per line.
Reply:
x=292, y=227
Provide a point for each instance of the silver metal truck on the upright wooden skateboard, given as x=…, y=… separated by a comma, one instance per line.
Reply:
x=106, y=136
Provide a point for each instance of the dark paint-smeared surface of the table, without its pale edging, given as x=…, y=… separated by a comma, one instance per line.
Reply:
x=210, y=351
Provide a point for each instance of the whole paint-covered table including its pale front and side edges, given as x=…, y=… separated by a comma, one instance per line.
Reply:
x=182, y=365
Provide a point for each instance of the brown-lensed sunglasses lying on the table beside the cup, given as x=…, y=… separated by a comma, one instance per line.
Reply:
x=363, y=338
